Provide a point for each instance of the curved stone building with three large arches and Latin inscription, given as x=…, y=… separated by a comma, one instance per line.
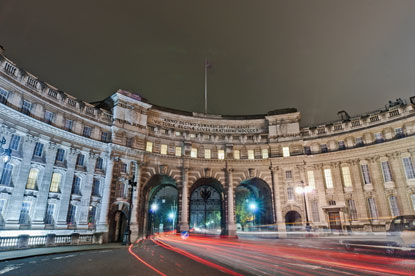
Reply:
x=69, y=166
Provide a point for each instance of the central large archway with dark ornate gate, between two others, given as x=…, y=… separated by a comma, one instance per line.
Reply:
x=206, y=207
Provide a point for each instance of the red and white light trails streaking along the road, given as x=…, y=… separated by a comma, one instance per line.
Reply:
x=273, y=257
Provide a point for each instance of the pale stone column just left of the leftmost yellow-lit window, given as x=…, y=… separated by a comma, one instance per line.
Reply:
x=15, y=201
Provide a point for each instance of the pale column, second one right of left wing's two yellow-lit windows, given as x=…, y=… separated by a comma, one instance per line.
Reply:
x=86, y=193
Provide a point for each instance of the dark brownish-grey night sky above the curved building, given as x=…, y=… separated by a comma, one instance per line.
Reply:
x=317, y=56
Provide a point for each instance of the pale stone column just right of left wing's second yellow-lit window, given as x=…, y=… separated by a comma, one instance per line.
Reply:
x=66, y=190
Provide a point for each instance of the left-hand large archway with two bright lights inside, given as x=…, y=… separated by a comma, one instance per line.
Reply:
x=160, y=203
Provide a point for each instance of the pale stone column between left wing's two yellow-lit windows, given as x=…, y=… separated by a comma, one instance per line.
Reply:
x=44, y=185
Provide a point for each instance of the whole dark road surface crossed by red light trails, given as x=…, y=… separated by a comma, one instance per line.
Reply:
x=199, y=255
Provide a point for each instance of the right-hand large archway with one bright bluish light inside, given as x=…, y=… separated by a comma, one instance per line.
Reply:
x=253, y=206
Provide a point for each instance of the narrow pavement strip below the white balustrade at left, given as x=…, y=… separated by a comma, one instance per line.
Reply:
x=32, y=252
